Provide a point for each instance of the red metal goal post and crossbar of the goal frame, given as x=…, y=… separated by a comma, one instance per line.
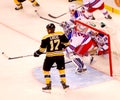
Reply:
x=78, y=23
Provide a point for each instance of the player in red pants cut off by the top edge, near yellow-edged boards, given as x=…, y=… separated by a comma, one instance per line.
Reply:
x=93, y=5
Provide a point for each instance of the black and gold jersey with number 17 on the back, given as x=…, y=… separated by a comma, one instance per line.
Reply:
x=54, y=43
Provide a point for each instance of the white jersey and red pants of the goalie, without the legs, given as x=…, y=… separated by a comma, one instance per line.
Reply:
x=81, y=43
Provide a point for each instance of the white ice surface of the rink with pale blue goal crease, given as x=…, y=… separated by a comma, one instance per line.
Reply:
x=20, y=34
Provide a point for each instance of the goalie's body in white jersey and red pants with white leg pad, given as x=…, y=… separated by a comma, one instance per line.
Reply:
x=81, y=44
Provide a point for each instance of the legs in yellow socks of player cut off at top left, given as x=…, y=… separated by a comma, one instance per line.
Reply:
x=19, y=3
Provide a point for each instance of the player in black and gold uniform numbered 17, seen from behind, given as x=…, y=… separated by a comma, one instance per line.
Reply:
x=53, y=43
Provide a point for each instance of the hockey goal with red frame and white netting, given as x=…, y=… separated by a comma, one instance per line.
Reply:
x=103, y=61
